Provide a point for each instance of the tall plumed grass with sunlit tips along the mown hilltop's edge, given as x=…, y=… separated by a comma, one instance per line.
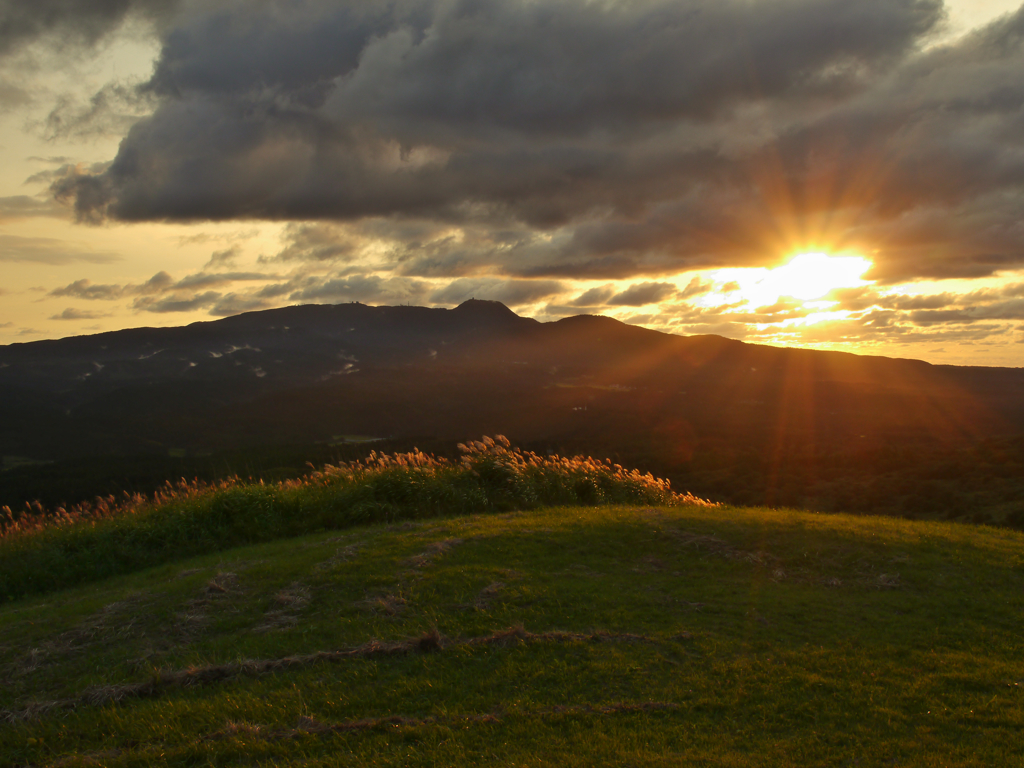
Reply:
x=44, y=550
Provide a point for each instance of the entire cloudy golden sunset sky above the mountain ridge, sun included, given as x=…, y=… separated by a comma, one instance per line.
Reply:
x=818, y=174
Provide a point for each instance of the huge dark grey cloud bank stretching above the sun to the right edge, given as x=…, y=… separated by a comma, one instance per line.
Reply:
x=575, y=140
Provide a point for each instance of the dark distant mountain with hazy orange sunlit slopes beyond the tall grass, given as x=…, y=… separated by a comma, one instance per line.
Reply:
x=264, y=394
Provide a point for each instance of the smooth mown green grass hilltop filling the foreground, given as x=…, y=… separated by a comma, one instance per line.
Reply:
x=646, y=636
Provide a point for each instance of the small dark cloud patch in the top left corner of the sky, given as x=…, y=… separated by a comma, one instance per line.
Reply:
x=71, y=22
